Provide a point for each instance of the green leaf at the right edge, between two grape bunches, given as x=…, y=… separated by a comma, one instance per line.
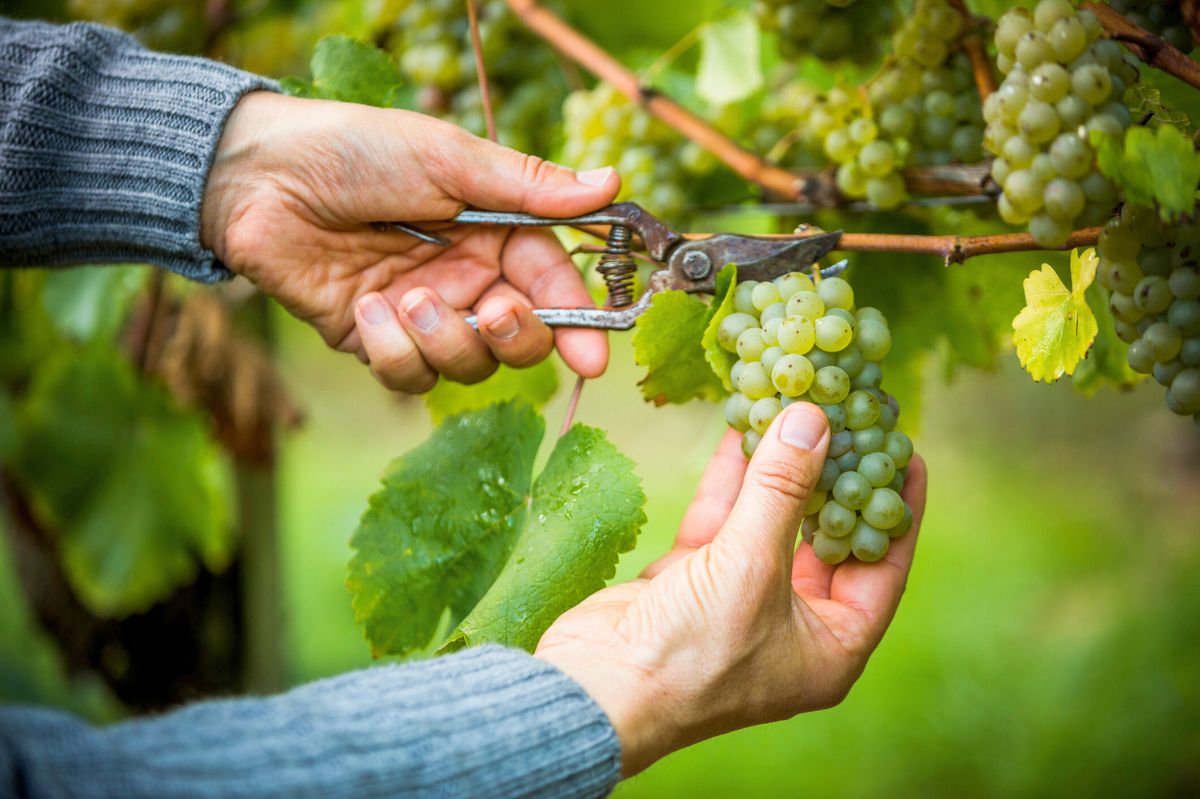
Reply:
x=1154, y=167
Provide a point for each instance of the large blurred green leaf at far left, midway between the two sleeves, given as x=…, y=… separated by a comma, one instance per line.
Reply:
x=145, y=497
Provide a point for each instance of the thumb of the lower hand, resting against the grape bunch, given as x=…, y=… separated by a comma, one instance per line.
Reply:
x=779, y=482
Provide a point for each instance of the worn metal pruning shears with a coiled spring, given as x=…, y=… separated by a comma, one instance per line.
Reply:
x=687, y=265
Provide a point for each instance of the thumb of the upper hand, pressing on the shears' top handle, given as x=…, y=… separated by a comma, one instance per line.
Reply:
x=495, y=178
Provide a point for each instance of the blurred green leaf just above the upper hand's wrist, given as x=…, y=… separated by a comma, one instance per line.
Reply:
x=351, y=71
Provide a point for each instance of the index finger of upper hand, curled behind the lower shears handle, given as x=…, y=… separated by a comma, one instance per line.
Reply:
x=536, y=263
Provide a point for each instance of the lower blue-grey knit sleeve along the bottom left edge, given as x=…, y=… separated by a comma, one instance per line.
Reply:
x=485, y=724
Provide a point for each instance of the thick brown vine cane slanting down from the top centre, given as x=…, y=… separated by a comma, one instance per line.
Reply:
x=818, y=188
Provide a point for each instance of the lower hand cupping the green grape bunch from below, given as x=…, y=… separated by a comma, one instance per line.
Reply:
x=733, y=628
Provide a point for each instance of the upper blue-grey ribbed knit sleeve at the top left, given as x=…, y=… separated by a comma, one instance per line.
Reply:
x=105, y=148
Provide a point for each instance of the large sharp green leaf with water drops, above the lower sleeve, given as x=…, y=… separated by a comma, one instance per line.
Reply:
x=439, y=539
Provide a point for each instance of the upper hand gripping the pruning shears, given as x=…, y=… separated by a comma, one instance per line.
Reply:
x=296, y=185
